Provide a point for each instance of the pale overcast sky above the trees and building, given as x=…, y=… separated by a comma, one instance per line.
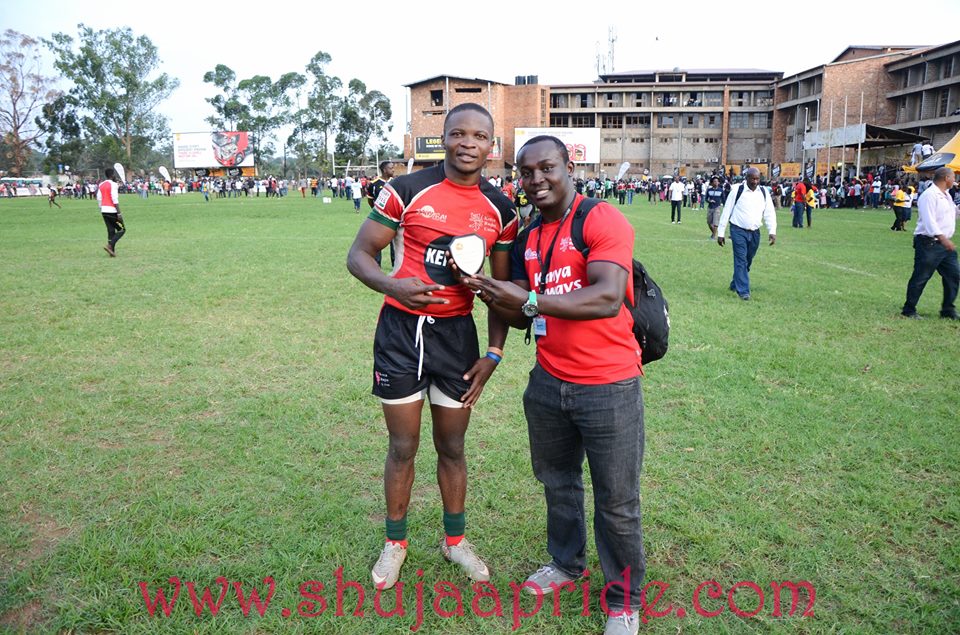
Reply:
x=387, y=45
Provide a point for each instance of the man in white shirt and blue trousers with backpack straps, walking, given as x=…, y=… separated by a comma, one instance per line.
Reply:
x=748, y=205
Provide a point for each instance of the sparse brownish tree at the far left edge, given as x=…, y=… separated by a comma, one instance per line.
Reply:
x=24, y=91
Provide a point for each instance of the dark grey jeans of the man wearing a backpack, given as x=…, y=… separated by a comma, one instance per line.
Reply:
x=604, y=423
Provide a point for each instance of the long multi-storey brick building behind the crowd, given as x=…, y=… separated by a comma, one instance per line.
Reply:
x=696, y=120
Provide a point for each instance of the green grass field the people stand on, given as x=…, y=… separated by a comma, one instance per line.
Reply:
x=199, y=407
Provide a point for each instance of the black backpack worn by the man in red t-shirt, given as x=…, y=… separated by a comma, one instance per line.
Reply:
x=651, y=313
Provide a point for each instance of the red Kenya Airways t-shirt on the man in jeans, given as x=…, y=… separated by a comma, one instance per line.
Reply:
x=600, y=351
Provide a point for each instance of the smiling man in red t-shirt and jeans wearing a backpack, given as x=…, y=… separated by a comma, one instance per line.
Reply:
x=584, y=395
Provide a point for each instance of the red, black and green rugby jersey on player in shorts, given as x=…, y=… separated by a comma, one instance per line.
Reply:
x=427, y=210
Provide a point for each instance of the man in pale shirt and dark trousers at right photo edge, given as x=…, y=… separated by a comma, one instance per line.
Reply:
x=933, y=249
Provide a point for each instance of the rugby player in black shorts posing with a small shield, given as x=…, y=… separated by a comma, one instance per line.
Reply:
x=426, y=340
